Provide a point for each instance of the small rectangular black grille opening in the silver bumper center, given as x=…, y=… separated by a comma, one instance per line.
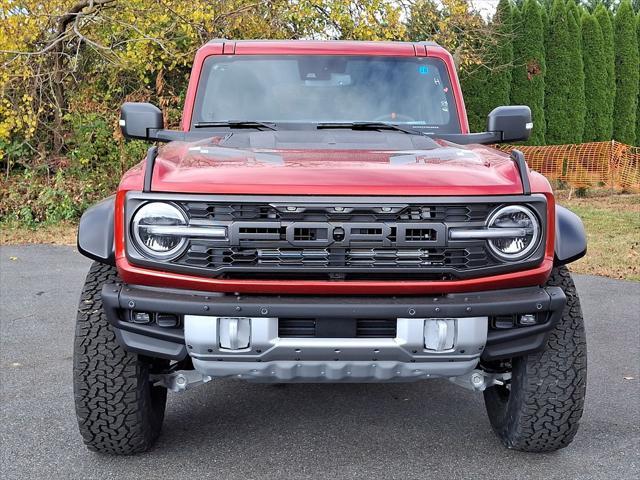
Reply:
x=337, y=328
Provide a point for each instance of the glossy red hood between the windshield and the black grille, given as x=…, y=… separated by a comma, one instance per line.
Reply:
x=442, y=168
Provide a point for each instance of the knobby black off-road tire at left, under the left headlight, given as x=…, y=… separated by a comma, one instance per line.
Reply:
x=119, y=411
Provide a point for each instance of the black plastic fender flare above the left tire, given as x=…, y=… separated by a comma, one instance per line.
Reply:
x=96, y=234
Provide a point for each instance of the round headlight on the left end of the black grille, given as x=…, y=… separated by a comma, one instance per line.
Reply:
x=154, y=229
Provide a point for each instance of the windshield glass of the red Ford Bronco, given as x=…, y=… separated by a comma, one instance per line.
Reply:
x=314, y=89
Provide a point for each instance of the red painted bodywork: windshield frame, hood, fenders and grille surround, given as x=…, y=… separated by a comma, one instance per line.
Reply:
x=336, y=172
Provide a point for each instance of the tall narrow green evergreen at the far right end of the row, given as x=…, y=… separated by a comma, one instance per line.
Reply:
x=627, y=73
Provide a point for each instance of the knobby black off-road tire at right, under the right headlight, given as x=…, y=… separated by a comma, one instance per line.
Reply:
x=540, y=409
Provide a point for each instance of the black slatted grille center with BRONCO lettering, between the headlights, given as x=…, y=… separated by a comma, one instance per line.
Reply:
x=339, y=241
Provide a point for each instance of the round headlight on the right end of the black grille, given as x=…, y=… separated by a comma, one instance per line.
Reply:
x=517, y=219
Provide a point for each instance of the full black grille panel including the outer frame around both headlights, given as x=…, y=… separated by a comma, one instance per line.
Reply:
x=339, y=238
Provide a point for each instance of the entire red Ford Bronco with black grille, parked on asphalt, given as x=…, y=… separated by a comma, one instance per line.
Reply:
x=325, y=215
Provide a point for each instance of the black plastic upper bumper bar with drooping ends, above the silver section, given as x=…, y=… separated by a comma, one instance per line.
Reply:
x=119, y=299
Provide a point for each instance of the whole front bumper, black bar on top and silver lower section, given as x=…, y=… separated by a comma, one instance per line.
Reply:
x=271, y=358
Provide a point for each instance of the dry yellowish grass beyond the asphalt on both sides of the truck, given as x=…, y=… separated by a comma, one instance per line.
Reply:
x=612, y=223
